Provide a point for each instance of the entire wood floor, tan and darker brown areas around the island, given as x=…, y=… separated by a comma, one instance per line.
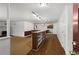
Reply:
x=23, y=46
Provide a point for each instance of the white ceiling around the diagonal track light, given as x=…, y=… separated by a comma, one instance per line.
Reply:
x=23, y=11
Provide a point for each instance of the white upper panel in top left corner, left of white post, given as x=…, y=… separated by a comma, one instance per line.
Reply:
x=3, y=11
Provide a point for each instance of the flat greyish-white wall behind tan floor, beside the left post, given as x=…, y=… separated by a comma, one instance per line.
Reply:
x=17, y=28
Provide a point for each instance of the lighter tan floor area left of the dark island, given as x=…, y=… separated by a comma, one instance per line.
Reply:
x=20, y=45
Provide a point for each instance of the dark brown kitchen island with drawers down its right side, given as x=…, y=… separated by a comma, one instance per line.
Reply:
x=38, y=40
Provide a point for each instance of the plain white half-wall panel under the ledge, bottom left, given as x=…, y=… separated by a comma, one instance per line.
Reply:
x=5, y=46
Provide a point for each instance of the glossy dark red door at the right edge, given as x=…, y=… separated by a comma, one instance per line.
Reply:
x=76, y=28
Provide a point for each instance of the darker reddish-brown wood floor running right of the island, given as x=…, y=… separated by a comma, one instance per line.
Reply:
x=52, y=46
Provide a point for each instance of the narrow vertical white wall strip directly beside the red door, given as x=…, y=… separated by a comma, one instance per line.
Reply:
x=70, y=28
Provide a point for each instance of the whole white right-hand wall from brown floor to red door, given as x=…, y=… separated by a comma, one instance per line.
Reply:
x=65, y=28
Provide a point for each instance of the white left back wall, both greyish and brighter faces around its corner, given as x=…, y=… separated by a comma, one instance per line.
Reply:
x=18, y=27
